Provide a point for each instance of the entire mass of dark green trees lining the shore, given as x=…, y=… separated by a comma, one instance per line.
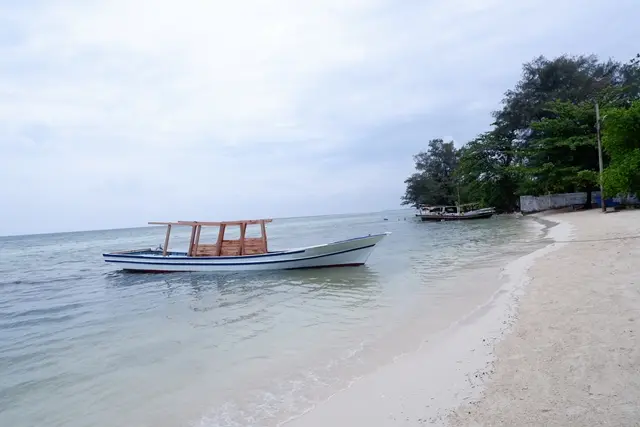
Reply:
x=543, y=139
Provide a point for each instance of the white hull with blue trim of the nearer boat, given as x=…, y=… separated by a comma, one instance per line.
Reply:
x=353, y=252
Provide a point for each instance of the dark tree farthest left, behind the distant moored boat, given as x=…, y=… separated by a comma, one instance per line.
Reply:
x=433, y=181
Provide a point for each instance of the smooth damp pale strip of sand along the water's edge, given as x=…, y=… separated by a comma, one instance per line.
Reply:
x=447, y=370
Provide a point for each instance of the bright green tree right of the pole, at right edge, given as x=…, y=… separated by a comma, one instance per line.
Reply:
x=621, y=140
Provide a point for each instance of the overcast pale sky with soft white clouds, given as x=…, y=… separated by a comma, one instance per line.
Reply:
x=117, y=112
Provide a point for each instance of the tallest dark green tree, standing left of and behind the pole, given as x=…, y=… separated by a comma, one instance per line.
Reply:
x=551, y=114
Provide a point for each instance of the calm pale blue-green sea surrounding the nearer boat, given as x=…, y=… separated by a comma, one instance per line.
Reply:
x=82, y=344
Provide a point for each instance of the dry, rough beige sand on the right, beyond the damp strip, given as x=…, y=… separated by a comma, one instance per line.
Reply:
x=573, y=358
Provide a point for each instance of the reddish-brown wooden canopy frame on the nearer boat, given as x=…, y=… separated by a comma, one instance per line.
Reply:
x=238, y=247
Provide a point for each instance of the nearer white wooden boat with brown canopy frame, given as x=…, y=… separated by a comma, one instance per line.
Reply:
x=241, y=254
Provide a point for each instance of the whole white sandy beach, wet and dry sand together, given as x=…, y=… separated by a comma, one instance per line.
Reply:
x=557, y=345
